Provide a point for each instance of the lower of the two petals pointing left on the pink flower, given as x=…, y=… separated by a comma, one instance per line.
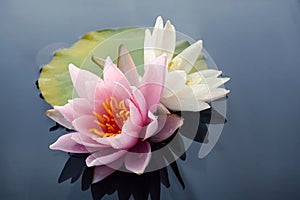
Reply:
x=67, y=144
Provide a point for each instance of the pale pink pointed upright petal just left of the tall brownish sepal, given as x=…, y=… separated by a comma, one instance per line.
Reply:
x=112, y=75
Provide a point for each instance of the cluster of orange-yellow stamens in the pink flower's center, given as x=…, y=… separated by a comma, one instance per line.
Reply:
x=111, y=118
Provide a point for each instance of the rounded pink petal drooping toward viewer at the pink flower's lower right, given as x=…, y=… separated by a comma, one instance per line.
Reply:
x=138, y=158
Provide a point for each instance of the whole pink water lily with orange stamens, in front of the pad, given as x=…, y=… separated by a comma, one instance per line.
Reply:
x=116, y=118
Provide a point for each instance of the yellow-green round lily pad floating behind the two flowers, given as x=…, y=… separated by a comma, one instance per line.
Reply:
x=55, y=83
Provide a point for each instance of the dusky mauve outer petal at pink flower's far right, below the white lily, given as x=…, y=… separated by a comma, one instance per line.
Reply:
x=172, y=123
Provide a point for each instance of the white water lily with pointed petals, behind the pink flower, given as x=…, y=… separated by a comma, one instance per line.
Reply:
x=184, y=90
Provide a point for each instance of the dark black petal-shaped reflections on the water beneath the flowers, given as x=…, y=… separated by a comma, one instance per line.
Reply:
x=127, y=184
